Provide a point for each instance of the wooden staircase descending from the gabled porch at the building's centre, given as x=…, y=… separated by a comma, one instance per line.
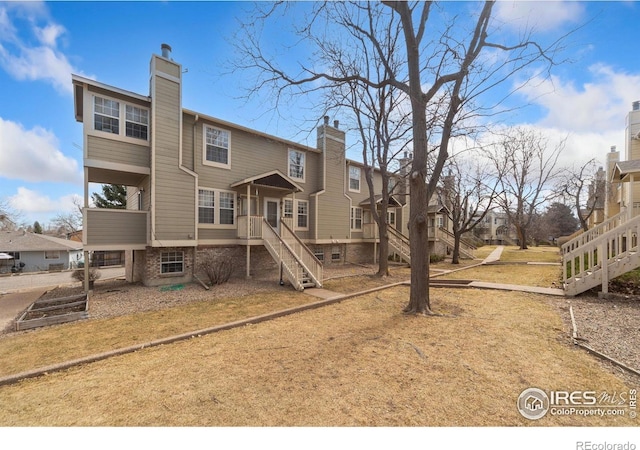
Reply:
x=299, y=264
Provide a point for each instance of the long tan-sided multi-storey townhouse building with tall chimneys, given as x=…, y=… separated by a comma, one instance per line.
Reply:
x=198, y=185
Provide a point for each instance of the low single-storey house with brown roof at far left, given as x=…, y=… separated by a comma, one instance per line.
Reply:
x=36, y=252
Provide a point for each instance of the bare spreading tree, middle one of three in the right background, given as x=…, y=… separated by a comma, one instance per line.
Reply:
x=528, y=170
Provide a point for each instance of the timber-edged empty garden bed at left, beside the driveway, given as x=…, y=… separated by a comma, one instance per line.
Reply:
x=53, y=311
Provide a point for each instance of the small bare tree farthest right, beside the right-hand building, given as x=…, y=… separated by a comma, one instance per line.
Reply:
x=585, y=187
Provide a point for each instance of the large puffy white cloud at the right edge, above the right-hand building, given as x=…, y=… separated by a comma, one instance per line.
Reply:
x=599, y=105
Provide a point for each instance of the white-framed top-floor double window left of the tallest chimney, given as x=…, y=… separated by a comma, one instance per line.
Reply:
x=108, y=112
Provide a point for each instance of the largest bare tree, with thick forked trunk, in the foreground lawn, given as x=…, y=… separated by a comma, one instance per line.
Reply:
x=441, y=75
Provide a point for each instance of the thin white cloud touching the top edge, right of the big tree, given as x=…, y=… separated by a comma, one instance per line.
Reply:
x=537, y=15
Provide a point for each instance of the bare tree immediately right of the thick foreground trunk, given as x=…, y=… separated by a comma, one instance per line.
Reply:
x=469, y=191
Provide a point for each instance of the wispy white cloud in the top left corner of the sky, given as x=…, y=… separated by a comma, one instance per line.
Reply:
x=34, y=57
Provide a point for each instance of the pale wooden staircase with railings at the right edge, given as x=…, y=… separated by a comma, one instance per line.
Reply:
x=601, y=254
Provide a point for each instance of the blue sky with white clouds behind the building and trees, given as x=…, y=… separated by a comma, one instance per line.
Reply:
x=42, y=44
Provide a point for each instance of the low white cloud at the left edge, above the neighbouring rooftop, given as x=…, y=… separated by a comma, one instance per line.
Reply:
x=33, y=155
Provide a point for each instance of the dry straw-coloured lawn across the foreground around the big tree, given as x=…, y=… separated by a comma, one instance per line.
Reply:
x=357, y=363
